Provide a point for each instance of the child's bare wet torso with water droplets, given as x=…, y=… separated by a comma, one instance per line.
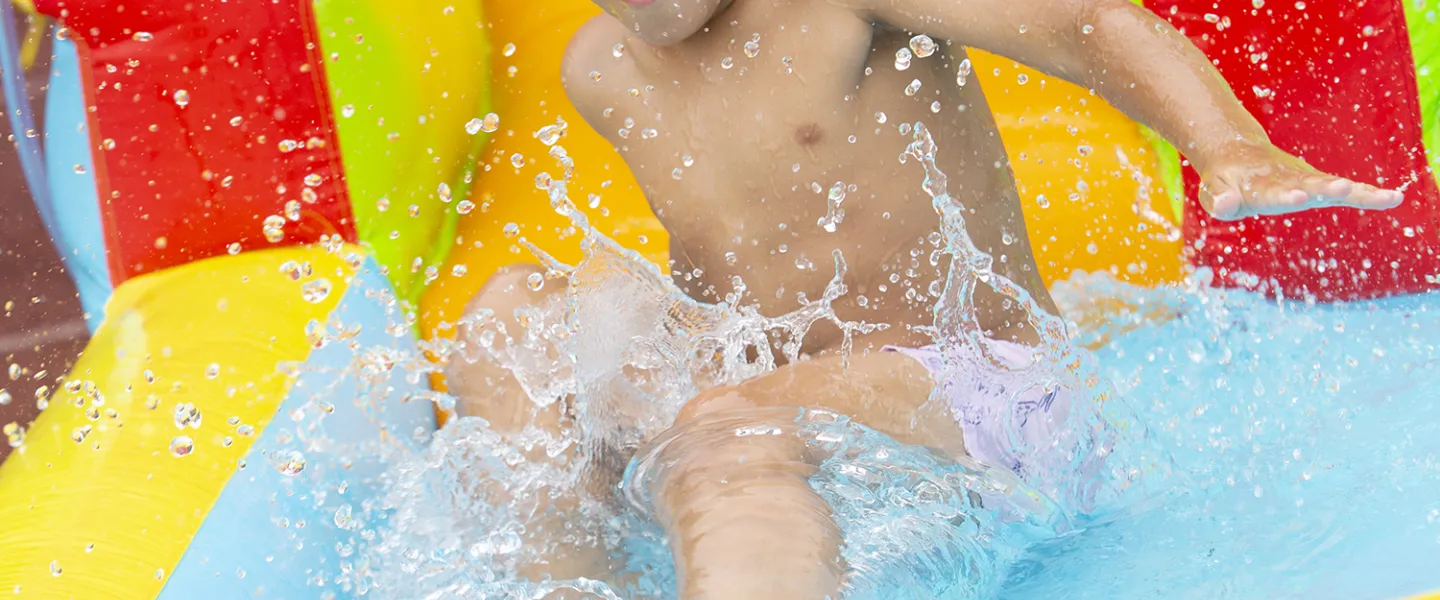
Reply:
x=744, y=137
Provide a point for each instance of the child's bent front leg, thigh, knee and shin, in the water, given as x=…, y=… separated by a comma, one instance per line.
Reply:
x=734, y=490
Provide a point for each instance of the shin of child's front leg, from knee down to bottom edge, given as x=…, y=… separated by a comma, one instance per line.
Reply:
x=739, y=513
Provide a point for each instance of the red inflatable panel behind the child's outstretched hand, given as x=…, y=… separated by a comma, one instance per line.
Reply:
x=1336, y=84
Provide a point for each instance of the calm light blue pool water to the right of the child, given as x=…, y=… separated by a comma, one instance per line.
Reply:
x=1307, y=454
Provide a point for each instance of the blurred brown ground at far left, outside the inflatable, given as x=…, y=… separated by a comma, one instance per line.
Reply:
x=41, y=324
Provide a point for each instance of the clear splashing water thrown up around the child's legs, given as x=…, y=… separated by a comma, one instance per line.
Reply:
x=912, y=522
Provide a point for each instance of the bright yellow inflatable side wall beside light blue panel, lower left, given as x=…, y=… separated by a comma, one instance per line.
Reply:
x=107, y=491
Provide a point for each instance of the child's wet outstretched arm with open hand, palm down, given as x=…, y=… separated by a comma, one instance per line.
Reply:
x=1148, y=70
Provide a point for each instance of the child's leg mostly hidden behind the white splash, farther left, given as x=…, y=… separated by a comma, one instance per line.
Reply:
x=486, y=391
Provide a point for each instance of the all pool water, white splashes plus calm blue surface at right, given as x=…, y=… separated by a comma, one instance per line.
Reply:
x=1255, y=450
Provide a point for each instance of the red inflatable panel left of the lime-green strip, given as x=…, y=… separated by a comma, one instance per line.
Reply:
x=194, y=109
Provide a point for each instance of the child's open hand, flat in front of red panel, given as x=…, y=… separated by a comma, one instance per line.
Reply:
x=1261, y=179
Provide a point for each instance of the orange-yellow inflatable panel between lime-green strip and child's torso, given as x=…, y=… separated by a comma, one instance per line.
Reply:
x=529, y=41
